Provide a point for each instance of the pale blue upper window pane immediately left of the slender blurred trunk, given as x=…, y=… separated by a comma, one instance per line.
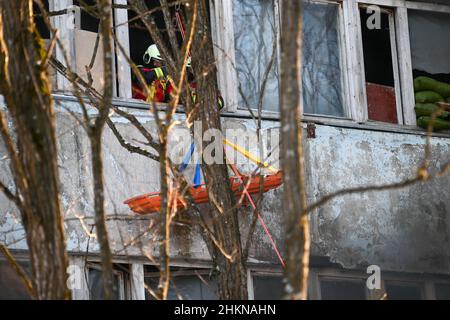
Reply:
x=255, y=51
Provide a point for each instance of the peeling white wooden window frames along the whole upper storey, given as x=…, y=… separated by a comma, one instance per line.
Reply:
x=352, y=60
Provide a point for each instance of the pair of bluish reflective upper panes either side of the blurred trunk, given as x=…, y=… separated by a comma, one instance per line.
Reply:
x=255, y=42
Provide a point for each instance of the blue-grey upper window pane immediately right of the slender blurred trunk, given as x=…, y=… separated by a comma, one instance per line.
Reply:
x=322, y=76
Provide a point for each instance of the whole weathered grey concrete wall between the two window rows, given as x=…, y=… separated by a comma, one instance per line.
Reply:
x=402, y=230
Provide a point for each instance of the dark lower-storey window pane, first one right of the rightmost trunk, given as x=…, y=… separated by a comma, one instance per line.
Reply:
x=340, y=289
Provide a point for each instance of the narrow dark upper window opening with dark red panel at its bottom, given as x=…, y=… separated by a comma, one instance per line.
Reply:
x=378, y=66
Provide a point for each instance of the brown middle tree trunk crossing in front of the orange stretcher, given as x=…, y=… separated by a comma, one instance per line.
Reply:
x=232, y=273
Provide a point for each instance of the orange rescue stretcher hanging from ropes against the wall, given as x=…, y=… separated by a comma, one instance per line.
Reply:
x=151, y=202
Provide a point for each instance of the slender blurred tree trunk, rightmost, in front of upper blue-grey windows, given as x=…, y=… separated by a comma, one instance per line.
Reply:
x=292, y=158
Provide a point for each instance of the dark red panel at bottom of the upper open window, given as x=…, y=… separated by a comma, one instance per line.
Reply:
x=381, y=103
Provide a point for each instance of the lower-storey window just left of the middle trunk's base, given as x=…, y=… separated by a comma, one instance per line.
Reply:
x=184, y=284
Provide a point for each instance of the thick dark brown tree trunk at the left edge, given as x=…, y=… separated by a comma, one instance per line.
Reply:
x=26, y=89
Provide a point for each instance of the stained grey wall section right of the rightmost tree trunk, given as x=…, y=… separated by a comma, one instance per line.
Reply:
x=401, y=230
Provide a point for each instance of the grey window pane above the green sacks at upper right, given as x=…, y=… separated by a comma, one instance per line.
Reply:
x=430, y=49
